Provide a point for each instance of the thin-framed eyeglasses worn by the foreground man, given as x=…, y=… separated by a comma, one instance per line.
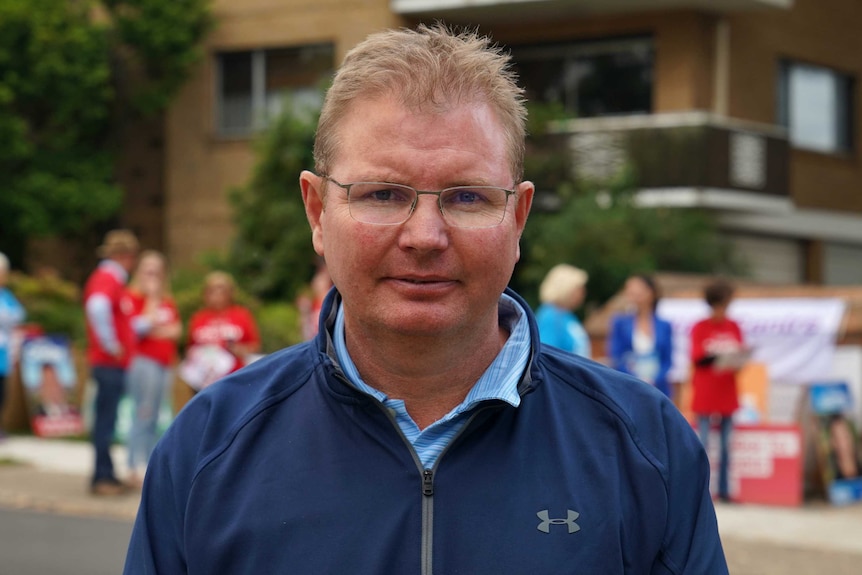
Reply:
x=386, y=204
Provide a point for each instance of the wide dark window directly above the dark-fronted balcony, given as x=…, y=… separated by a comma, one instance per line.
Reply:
x=589, y=79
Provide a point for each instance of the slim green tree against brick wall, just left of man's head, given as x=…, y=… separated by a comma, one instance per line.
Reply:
x=271, y=253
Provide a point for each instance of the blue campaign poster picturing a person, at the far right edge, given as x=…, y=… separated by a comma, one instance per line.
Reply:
x=839, y=448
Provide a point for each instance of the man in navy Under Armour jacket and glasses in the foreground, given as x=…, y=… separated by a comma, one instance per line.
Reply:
x=425, y=429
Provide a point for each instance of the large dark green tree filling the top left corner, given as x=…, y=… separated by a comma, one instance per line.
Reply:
x=68, y=76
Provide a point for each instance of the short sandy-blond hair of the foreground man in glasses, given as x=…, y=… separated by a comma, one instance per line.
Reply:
x=428, y=69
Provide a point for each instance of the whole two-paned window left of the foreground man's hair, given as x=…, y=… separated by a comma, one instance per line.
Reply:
x=252, y=86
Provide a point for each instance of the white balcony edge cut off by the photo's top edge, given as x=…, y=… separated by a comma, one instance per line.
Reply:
x=476, y=11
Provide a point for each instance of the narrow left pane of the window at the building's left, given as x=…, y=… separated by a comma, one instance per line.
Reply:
x=235, y=111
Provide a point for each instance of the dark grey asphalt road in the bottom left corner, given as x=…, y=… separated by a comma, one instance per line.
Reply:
x=37, y=543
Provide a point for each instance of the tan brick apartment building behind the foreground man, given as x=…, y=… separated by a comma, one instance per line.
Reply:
x=746, y=107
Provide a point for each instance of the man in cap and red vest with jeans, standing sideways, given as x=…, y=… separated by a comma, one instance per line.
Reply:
x=110, y=341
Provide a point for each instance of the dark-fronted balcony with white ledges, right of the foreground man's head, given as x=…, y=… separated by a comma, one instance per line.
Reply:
x=687, y=159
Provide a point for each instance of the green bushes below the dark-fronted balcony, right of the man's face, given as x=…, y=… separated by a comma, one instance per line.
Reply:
x=600, y=228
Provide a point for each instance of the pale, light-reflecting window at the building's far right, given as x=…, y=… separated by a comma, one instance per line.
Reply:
x=814, y=104
